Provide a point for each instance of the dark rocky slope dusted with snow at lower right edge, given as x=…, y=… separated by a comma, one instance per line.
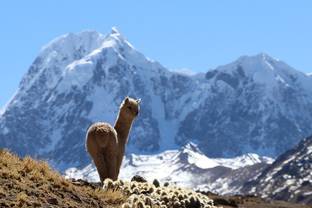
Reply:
x=289, y=178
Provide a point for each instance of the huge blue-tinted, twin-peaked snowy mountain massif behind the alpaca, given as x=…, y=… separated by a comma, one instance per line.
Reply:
x=255, y=104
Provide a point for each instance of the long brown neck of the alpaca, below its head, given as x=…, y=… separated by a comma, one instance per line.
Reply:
x=122, y=127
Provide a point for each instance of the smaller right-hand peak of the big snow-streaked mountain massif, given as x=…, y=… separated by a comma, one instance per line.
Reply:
x=256, y=100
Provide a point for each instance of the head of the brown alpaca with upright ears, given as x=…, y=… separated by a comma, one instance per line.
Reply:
x=130, y=108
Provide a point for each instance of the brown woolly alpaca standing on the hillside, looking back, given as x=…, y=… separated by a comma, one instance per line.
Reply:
x=106, y=144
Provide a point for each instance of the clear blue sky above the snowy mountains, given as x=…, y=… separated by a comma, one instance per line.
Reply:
x=197, y=35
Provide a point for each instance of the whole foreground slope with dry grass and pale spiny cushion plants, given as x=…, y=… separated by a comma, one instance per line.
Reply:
x=30, y=183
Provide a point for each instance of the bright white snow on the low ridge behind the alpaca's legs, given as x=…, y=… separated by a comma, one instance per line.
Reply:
x=168, y=166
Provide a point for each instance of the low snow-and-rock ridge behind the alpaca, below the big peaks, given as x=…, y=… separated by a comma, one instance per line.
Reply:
x=186, y=167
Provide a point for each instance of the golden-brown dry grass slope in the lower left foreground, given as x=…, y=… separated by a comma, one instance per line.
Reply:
x=30, y=183
